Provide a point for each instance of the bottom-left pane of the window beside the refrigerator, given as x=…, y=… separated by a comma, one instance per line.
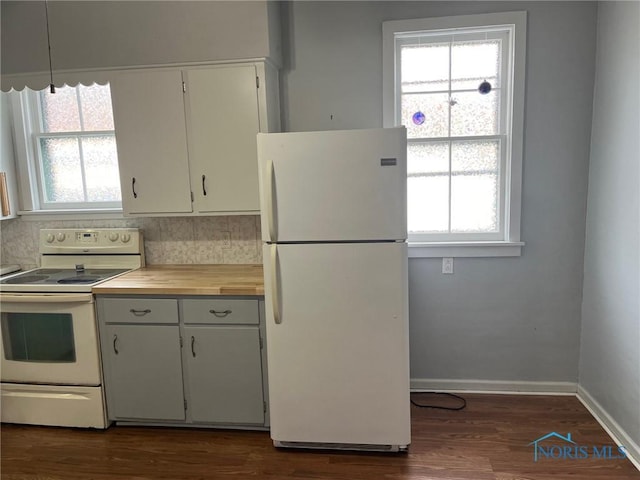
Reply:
x=428, y=204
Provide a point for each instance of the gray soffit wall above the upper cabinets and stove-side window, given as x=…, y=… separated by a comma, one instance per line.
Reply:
x=128, y=33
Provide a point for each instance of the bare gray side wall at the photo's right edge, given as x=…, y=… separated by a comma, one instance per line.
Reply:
x=610, y=349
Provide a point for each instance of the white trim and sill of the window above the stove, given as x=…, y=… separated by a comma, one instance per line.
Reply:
x=22, y=105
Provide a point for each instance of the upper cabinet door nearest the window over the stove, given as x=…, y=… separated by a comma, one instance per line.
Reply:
x=148, y=111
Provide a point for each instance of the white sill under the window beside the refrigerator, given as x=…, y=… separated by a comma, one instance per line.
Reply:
x=464, y=249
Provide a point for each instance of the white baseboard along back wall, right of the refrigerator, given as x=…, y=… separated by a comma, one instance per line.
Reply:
x=493, y=386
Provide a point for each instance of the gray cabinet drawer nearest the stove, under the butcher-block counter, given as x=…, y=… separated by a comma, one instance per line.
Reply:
x=140, y=310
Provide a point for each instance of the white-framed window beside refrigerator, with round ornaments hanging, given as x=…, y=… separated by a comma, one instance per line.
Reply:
x=456, y=83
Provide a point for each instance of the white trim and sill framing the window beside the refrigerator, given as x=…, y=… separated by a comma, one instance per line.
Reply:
x=511, y=245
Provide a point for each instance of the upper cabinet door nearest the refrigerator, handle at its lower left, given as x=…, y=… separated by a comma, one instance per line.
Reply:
x=222, y=124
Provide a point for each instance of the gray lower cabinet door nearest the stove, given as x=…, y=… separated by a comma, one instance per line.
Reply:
x=143, y=375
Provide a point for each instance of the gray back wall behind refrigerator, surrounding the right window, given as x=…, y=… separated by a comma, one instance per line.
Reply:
x=496, y=318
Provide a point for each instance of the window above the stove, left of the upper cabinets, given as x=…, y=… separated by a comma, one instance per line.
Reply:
x=70, y=148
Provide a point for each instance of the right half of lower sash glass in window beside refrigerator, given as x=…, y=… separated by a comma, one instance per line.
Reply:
x=474, y=186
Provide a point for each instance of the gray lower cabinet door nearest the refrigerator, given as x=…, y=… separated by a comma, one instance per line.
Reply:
x=224, y=374
